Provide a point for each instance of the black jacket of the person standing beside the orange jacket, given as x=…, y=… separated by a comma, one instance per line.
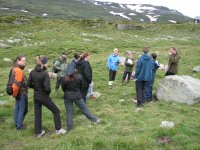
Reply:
x=39, y=80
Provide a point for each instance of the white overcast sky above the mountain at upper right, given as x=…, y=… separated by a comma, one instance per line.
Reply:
x=189, y=8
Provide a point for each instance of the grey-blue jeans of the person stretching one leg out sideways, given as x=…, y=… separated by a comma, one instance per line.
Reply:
x=82, y=106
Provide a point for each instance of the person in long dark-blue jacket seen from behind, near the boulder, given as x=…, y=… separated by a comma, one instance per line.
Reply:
x=143, y=74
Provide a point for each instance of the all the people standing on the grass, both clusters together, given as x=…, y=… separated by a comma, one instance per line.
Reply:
x=75, y=79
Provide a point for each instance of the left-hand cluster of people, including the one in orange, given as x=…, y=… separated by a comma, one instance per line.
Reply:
x=75, y=83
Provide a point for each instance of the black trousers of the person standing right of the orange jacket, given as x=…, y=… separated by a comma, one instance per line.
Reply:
x=48, y=103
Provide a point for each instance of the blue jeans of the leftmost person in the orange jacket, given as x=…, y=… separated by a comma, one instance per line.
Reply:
x=21, y=109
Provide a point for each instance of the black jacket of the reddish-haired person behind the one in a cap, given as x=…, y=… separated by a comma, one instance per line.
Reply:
x=85, y=70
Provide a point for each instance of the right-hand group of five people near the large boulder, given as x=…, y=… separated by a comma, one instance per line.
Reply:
x=145, y=71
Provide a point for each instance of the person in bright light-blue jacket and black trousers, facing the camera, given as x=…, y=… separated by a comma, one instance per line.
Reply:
x=113, y=62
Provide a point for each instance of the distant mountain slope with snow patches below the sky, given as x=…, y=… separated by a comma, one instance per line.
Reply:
x=89, y=9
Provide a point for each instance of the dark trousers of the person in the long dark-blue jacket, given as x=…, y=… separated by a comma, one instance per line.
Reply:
x=140, y=90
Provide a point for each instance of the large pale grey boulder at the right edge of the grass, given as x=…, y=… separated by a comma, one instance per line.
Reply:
x=182, y=89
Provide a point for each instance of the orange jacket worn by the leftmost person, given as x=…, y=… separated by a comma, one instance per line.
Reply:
x=18, y=79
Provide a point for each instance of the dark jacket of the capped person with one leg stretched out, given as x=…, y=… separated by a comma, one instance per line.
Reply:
x=72, y=89
